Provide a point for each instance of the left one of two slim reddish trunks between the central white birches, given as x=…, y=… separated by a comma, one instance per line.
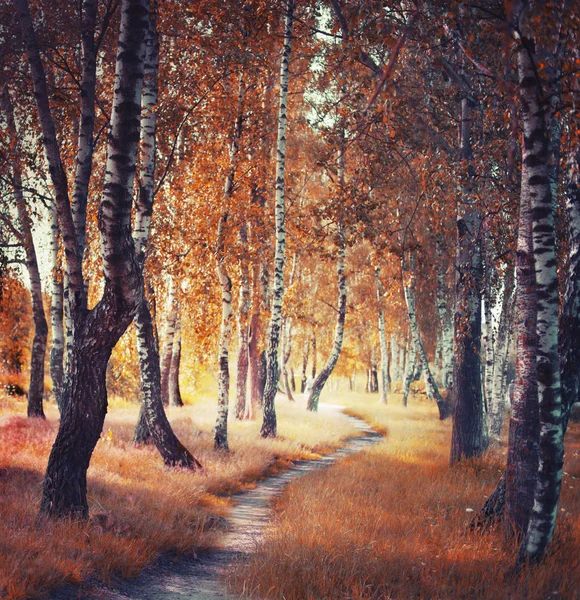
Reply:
x=244, y=307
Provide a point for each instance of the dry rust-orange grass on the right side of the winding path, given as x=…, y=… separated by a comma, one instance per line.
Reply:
x=393, y=522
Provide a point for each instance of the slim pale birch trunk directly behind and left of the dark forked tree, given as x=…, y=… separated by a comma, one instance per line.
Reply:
x=56, y=316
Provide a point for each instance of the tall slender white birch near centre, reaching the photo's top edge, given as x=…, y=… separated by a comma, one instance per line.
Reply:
x=269, y=427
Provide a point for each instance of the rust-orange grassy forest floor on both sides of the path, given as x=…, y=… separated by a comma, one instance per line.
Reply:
x=389, y=522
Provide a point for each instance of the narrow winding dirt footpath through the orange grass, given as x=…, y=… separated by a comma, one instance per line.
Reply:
x=202, y=578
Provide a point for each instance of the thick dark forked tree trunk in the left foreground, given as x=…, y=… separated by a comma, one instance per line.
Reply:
x=96, y=331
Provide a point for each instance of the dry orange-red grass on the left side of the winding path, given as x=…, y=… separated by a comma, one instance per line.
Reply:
x=139, y=509
